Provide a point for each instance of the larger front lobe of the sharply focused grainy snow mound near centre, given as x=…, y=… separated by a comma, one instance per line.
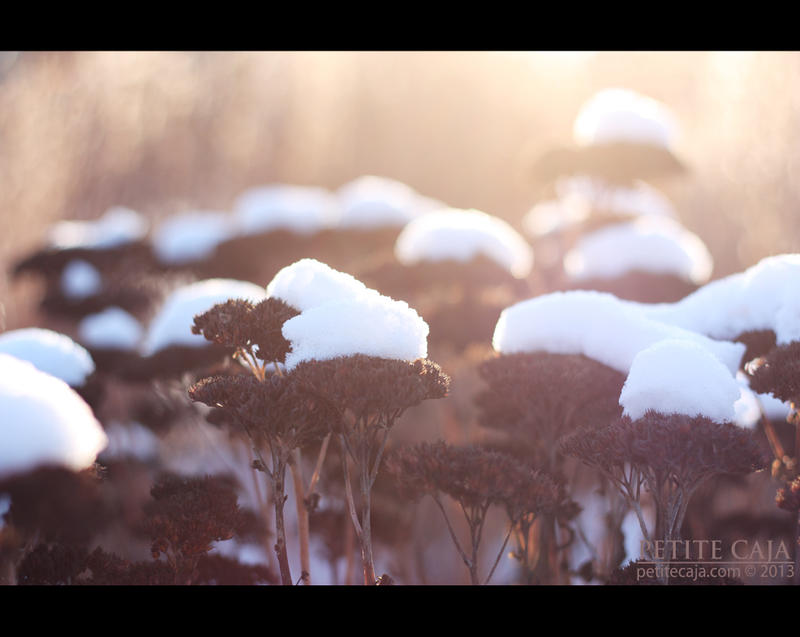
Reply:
x=372, y=325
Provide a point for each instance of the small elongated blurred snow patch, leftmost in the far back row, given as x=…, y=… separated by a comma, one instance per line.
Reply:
x=118, y=226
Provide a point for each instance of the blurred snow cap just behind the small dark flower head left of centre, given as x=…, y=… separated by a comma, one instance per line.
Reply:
x=173, y=323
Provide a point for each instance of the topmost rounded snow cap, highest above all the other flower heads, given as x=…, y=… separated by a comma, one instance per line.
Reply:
x=622, y=115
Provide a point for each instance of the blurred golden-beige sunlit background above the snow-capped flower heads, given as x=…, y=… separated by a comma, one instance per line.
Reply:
x=161, y=132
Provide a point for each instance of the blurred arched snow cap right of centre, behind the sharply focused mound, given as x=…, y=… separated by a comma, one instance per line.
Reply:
x=461, y=235
